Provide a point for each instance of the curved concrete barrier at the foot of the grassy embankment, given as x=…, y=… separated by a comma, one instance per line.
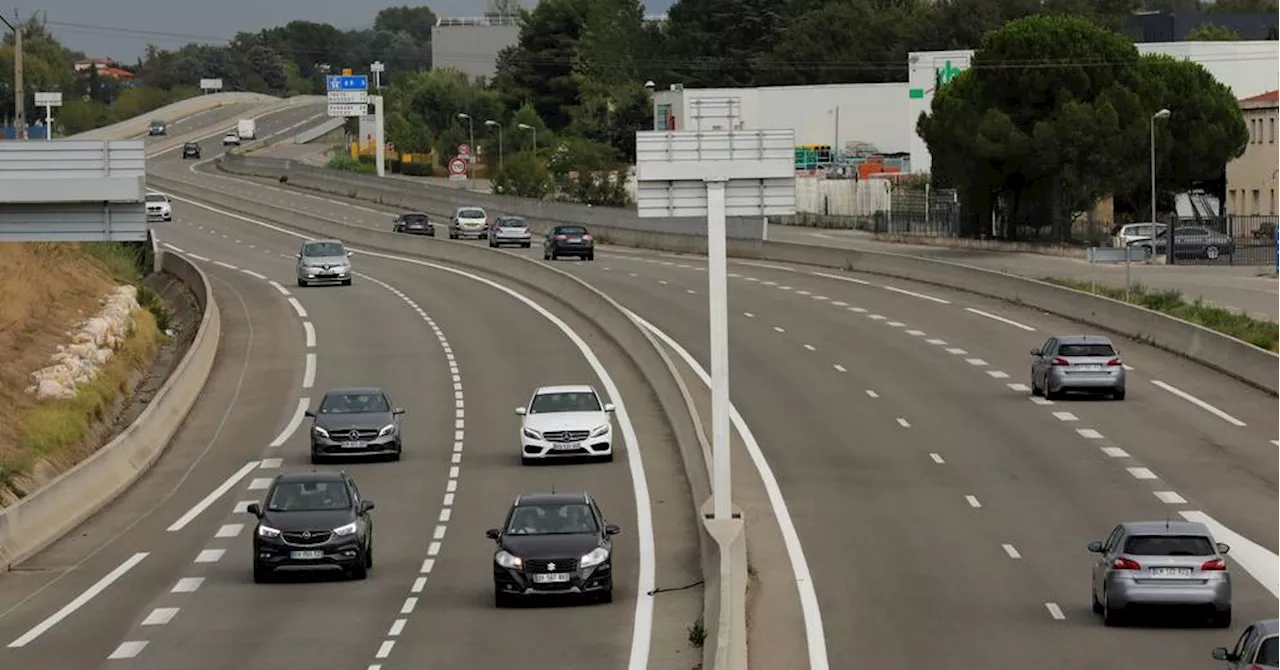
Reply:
x=48, y=514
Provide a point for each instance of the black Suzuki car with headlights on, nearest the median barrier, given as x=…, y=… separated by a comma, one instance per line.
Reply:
x=554, y=545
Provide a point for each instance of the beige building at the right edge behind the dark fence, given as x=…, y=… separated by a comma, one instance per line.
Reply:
x=1252, y=180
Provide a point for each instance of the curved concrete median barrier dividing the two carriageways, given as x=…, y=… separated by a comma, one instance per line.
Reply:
x=648, y=357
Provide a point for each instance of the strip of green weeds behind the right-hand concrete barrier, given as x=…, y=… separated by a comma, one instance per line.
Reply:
x=1259, y=332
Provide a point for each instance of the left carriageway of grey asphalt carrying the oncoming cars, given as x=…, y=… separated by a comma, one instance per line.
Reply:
x=449, y=350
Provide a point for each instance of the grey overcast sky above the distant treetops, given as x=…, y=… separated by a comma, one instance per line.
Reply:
x=122, y=29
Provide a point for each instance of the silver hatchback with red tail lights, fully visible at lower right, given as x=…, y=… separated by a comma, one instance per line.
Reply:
x=1162, y=564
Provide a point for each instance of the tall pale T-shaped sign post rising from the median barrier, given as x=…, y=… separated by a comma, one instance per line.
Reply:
x=716, y=175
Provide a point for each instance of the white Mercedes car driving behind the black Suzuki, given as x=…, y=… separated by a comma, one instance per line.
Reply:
x=566, y=422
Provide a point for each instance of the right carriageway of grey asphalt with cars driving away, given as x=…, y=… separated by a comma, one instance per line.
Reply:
x=929, y=491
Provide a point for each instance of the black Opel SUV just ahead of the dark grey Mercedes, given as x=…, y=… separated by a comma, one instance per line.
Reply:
x=313, y=522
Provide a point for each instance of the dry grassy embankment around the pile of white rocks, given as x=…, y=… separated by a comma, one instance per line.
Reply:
x=49, y=290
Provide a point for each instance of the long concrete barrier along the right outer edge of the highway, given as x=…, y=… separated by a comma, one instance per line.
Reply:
x=1236, y=358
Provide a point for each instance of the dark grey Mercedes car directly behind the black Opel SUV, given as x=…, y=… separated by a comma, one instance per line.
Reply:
x=356, y=422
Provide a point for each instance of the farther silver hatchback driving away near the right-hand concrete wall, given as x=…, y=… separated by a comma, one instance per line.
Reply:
x=1087, y=364
